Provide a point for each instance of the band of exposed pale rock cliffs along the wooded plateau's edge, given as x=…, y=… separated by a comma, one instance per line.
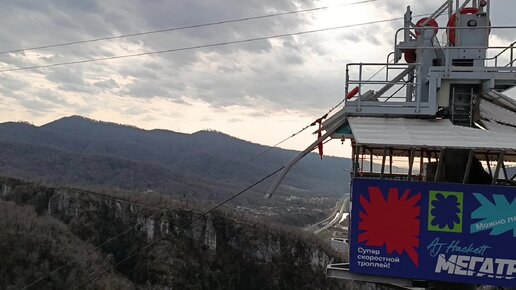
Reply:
x=68, y=204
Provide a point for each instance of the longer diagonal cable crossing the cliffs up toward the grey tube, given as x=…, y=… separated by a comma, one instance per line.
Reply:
x=182, y=227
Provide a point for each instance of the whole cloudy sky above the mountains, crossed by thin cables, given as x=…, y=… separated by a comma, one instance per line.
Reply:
x=261, y=91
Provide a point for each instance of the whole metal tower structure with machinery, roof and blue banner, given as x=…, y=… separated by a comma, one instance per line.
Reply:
x=436, y=203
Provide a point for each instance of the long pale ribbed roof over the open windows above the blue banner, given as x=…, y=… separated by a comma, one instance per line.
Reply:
x=403, y=132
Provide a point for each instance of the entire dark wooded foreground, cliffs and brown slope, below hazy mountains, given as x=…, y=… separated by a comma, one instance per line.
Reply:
x=217, y=251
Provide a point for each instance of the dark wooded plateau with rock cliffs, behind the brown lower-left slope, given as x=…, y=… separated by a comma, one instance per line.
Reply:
x=213, y=251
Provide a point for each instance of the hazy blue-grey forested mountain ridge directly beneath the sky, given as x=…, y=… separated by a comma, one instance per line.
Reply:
x=77, y=150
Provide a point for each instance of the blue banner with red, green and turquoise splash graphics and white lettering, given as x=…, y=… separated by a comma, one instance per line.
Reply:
x=434, y=231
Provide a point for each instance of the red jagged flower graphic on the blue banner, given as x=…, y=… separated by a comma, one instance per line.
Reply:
x=393, y=222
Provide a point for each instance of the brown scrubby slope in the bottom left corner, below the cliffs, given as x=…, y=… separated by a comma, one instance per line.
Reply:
x=32, y=246
